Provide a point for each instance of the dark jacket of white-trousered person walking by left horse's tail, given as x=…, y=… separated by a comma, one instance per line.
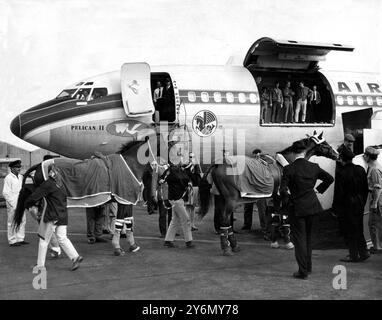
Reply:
x=56, y=202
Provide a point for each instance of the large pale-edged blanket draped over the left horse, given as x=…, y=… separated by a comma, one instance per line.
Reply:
x=92, y=182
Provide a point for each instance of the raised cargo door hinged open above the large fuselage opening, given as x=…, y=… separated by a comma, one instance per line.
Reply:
x=268, y=54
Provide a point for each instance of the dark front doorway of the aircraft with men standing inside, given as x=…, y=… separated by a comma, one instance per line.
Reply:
x=163, y=96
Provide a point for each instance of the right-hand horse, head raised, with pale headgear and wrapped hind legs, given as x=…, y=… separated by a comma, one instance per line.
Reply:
x=230, y=195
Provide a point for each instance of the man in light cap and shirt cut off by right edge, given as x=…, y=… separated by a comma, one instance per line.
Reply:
x=374, y=178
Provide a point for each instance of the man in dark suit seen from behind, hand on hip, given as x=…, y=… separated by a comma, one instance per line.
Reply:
x=300, y=177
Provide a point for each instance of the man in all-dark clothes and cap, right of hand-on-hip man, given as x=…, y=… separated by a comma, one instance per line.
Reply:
x=353, y=190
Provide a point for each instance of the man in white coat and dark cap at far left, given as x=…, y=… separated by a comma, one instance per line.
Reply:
x=11, y=190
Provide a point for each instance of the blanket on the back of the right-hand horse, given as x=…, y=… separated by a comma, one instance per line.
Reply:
x=252, y=176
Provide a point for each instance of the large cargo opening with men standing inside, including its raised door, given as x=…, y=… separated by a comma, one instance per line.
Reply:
x=273, y=61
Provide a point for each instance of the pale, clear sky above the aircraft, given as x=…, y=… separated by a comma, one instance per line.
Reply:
x=46, y=45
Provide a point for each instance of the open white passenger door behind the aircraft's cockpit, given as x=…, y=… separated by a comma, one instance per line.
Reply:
x=136, y=89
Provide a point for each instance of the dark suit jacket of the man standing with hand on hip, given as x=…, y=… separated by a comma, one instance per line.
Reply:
x=301, y=177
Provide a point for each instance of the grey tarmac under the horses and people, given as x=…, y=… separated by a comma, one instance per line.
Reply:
x=159, y=273
